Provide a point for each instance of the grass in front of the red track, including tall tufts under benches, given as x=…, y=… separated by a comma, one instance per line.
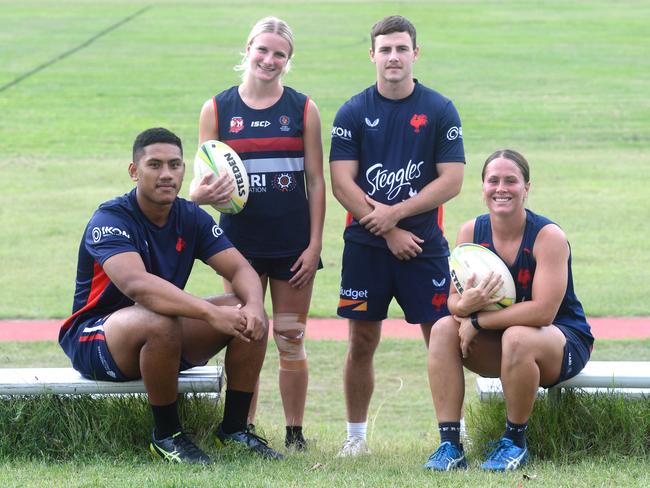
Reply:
x=95, y=442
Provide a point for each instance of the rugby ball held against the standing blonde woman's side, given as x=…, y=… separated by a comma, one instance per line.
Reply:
x=218, y=158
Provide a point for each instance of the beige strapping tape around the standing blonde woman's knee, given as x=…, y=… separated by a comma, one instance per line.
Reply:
x=289, y=335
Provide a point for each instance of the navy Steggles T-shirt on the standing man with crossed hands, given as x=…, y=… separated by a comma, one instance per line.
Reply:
x=398, y=144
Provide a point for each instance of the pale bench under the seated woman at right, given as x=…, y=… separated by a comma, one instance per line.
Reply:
x=628, y=378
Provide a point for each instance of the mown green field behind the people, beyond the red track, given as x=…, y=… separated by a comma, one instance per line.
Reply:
x=564, y=82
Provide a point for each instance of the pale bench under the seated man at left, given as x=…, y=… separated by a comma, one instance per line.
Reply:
x=67, y=381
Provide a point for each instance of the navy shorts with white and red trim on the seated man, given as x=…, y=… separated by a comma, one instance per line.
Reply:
x=90, y=355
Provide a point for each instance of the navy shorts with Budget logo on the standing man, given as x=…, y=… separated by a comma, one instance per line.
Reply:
x=371, y=277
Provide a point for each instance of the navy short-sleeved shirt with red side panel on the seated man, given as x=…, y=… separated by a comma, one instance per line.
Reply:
x=169, y=252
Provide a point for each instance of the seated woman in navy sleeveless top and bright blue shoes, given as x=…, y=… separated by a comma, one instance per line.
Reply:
x=540, y=340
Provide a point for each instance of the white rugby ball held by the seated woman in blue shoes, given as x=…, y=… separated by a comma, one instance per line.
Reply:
x=467, y=259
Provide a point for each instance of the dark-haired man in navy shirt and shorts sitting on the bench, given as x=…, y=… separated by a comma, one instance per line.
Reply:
x=131, y=318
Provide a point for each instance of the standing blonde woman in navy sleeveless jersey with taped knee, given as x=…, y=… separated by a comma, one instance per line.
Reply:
x=276, y=131
